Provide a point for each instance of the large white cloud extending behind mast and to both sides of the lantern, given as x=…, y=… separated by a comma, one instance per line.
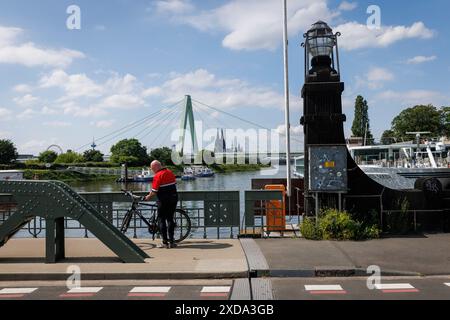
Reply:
x=257, y=24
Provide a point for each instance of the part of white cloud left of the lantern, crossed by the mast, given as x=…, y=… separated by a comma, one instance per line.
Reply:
x=257, y=24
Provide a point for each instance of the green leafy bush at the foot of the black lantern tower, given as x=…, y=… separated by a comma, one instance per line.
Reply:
x=337, y=225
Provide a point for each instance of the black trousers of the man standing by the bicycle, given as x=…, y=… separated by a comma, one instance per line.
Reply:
x=166, y=212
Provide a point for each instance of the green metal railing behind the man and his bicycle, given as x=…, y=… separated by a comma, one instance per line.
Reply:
x=213, y=214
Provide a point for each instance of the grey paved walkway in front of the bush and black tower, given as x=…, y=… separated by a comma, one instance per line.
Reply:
x=419, y=255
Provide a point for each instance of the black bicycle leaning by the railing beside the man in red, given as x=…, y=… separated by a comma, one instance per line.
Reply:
x=182, y=220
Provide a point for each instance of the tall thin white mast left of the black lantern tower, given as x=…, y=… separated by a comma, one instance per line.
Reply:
x=286, y=100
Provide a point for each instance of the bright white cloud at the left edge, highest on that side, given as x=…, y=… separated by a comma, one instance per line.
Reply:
x=31, y=55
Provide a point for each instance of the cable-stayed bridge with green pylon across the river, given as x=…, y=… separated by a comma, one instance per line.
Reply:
x=185, y=124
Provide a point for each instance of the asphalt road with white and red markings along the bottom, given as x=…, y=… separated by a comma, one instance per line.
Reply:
x=351, y=288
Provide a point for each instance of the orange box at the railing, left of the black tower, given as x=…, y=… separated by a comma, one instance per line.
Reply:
x=276, y=210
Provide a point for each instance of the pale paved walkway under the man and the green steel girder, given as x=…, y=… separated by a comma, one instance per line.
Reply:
x=23, y=259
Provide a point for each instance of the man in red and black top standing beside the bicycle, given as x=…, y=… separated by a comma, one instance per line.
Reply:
x=164, y=186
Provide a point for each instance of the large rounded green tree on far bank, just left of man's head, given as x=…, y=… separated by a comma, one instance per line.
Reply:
x=129, y=151
